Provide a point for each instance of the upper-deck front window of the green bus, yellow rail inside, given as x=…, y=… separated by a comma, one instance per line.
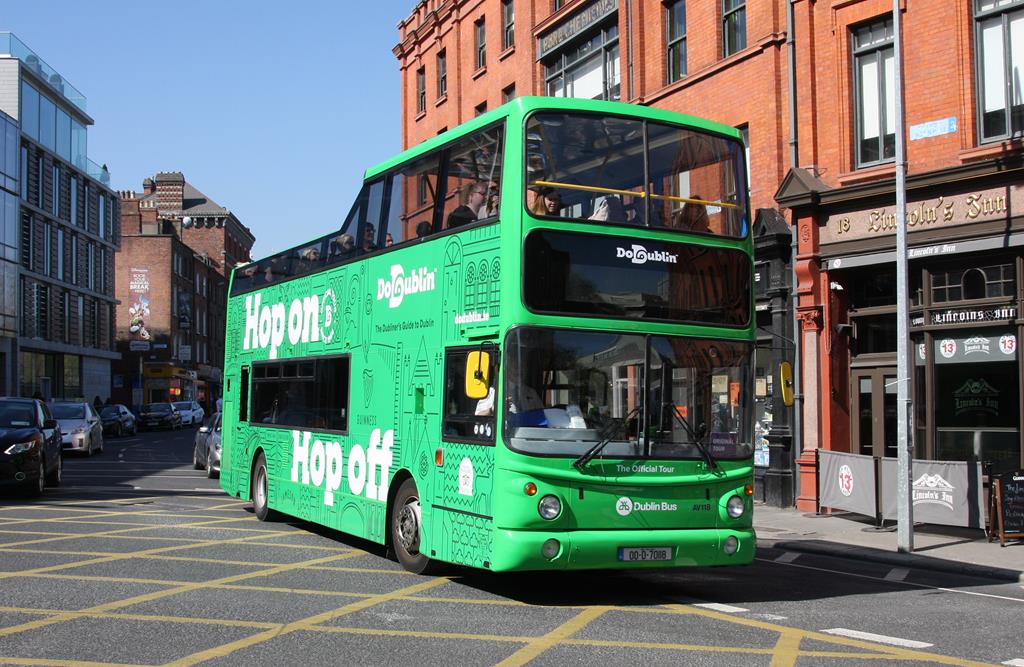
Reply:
x=588, y=168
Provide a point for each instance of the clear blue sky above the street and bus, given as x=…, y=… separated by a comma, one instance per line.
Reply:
x=272, y=109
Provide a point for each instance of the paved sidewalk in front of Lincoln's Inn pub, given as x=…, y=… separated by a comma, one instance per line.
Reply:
x=854, y=536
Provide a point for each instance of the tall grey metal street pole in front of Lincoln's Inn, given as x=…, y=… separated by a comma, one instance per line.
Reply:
x=905, y=508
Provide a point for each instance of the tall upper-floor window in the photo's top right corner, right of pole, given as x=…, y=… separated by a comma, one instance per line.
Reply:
x=1000, y=39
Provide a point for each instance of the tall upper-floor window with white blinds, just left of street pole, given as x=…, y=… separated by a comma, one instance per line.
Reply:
x=875, y=93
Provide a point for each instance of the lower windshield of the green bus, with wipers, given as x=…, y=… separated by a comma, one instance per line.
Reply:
x=654, y=397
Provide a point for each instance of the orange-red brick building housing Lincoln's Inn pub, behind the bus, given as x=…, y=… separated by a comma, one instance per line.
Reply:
x=822, y=157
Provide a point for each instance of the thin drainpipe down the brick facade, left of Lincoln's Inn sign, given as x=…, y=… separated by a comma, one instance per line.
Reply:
x=798, y=406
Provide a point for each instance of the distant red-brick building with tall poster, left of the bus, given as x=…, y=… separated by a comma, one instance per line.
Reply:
x=178, y=248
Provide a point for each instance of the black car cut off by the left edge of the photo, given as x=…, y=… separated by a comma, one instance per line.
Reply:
x=30, y=446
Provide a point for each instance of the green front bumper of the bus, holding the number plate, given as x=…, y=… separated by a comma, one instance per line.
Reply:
x=622, y=550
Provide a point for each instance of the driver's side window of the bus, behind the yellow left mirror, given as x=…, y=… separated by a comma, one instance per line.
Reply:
x=467, y=419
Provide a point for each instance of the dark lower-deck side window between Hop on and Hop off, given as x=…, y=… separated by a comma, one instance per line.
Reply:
x=303, y=394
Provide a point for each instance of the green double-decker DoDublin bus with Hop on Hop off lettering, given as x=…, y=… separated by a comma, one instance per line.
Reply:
x=530, y=347
